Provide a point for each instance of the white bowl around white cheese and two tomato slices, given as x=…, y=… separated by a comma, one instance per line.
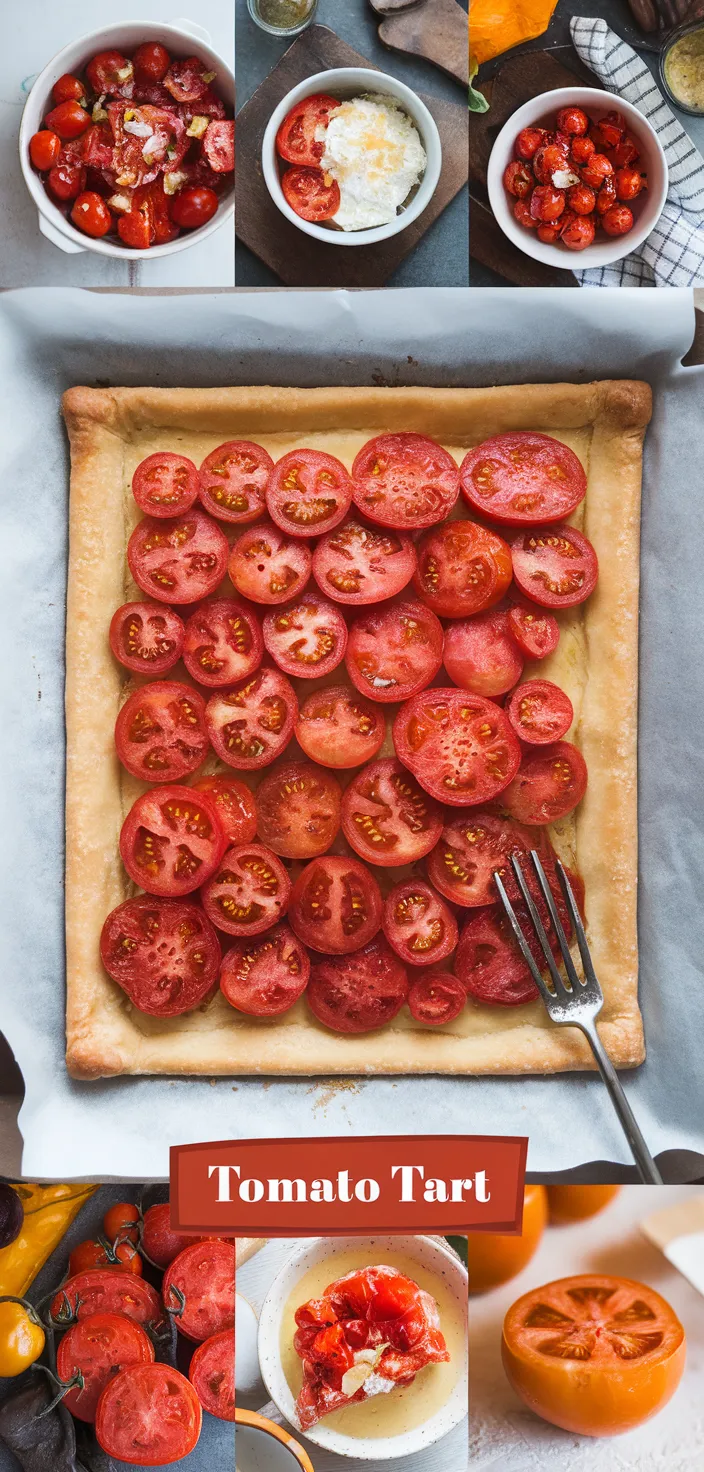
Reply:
x=353, y=82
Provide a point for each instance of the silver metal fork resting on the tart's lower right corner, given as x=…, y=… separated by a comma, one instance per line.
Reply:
x=577, y=1002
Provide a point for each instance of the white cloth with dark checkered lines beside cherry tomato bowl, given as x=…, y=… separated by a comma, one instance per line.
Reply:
x=674, y=252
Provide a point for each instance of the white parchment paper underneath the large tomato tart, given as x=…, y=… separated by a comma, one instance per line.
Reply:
x=52, y=339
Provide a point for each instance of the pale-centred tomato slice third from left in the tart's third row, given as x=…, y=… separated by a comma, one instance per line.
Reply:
x=307, y=638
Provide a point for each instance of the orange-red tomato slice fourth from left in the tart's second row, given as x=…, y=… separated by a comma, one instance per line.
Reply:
x=463, y=569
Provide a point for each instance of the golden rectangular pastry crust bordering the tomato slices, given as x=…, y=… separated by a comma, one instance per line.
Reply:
x=597, y=662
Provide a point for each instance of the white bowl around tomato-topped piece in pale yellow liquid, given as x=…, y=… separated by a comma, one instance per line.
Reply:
x=432, y=1255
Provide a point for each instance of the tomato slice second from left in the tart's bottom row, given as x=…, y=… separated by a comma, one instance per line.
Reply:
x=266, y=977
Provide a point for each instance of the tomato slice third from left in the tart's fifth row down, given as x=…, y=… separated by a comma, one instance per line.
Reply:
x=298, y=810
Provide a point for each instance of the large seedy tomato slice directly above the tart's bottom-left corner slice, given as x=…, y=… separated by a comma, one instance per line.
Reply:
x=172, y=841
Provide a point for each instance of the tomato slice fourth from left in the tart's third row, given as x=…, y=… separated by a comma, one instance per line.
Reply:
x=395, y=651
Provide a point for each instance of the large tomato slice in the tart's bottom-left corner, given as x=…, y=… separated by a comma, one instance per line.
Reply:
x=163, y=953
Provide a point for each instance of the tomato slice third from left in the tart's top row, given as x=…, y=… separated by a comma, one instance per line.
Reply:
x=309, y=494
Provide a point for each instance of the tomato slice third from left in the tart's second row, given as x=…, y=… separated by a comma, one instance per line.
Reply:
x=359, y=565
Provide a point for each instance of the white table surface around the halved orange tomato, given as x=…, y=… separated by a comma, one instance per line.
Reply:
x=507, y=1437
